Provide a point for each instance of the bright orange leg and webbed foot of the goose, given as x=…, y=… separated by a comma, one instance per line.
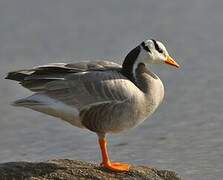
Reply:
x=107, y=163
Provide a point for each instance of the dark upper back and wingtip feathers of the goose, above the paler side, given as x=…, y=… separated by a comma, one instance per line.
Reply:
x=36, y=78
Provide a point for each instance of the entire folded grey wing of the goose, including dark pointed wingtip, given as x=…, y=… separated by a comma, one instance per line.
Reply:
x=78, y=84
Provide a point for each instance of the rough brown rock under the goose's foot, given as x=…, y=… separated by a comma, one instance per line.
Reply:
x=72, y=169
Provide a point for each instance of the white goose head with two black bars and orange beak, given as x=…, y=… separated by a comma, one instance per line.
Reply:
x=154, y=52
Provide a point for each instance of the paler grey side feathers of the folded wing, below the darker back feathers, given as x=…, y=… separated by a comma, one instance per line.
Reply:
x=92, y=88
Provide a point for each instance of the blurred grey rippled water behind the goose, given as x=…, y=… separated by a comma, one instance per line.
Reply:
x=185, y=134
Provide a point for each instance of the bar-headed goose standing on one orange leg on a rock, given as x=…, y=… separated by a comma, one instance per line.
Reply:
x=101, y=96
